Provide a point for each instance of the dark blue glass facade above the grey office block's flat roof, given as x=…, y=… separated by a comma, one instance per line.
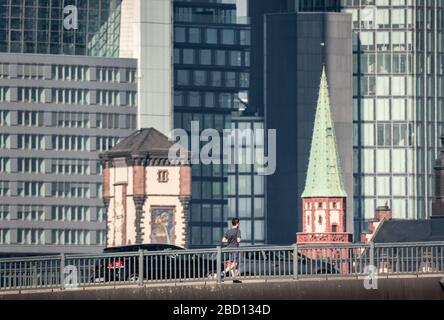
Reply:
x=37, y=26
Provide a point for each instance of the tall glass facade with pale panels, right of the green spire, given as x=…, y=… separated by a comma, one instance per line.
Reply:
x=398, y=104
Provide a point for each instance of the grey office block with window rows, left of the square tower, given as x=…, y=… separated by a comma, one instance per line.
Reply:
x=57, y=114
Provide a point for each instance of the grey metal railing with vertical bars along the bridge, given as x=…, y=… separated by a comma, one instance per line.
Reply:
x=220, y=264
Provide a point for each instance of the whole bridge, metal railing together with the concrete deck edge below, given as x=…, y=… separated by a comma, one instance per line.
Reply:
x=358, y=271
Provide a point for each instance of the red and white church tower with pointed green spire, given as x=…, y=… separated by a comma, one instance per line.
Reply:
x=324, y=198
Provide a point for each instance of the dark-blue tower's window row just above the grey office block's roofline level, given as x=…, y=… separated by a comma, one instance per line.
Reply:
x=212, y=36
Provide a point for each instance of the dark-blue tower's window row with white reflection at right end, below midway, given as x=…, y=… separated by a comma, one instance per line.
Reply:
x=198, y=99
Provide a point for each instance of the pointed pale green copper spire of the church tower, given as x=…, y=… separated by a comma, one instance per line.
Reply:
x=324, y=176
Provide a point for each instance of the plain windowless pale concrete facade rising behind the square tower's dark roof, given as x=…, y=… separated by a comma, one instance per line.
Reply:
x=146, y=35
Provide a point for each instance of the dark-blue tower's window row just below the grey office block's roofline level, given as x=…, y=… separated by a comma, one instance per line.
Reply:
x=199, y=78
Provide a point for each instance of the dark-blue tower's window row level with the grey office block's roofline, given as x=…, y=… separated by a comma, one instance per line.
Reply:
x=208, y=57
